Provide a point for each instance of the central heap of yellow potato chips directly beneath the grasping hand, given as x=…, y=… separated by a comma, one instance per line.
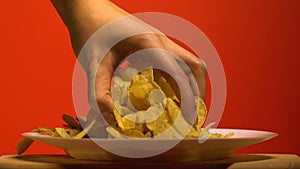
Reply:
x=147, y=107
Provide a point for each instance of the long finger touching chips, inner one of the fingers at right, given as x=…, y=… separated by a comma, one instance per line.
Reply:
x=152, y=52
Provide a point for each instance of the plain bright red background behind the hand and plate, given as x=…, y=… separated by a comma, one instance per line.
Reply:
x=258, y=42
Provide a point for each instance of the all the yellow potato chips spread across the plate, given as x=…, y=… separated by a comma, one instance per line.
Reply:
x=145, y=106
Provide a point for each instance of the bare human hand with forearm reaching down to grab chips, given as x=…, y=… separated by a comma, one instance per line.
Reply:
x=83, y=19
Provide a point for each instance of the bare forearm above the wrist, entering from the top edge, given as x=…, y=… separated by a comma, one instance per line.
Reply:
x=84, y=17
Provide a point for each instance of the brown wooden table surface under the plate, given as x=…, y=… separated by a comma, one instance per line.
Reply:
x=240, y=161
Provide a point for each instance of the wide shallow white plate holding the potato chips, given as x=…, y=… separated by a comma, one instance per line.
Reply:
x=187, y=149
